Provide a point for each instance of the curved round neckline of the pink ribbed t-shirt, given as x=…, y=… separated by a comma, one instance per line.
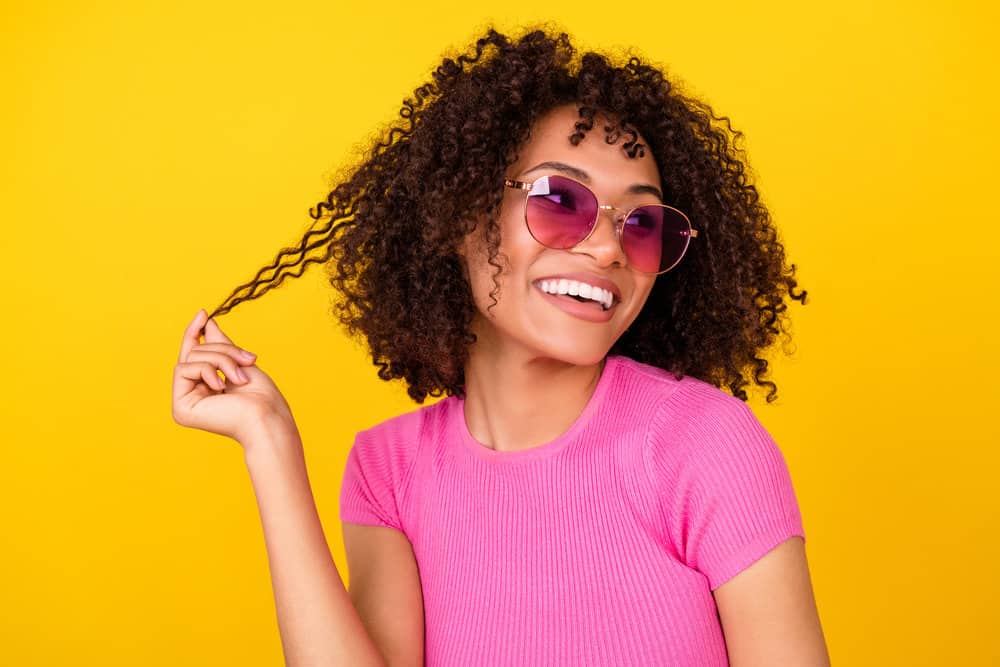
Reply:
x=460, y=428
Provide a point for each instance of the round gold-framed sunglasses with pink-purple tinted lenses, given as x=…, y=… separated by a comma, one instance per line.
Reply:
x=561, y=213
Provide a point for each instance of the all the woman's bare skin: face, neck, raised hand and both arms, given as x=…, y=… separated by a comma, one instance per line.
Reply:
x=524, y=387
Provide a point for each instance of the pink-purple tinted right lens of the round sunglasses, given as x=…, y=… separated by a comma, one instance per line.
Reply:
x=655, y=237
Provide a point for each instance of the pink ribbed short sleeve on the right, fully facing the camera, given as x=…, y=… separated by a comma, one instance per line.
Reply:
x=726, y=491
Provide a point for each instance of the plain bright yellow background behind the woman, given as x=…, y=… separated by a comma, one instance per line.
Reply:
x=155, y=155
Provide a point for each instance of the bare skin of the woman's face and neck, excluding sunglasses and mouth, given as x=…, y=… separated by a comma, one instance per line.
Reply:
x=524, y=385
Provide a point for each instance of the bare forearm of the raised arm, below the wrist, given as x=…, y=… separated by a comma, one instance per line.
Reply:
x=316, y=618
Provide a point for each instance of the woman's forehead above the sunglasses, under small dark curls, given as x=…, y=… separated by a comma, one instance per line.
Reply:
x=608, y=163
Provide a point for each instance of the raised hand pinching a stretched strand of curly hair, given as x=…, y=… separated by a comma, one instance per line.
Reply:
x=233, y=407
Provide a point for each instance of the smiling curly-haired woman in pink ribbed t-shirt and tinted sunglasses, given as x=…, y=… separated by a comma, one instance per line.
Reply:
x=567, y=249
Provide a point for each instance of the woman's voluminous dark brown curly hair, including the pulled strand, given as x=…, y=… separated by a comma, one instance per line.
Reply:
x=394, y=223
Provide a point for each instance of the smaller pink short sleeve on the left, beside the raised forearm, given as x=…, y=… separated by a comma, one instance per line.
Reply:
x=368, y=493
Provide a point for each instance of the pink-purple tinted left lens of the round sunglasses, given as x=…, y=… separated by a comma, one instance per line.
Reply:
x=560, y=212
